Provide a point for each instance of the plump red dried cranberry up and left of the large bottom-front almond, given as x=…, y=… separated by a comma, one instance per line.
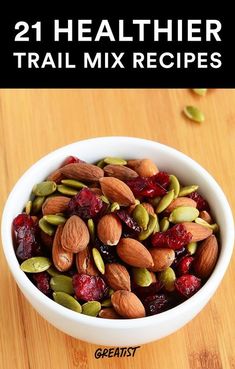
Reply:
x=89, y=287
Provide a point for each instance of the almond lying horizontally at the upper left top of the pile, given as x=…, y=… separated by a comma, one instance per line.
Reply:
x=82, y=172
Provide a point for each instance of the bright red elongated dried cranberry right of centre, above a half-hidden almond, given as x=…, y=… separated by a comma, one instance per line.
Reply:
x=174, y=238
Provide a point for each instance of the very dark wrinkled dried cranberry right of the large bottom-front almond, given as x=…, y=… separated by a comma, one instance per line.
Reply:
x=156, y=304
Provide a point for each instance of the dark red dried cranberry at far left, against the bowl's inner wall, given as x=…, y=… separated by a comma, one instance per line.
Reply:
x=26, y=232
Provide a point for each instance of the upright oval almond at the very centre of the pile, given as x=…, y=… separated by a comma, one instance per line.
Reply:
x=109, y=229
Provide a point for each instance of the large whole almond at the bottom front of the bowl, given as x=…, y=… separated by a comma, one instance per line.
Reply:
x=127, y=304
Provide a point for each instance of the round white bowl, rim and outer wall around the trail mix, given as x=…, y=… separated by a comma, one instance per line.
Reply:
x=133, y=331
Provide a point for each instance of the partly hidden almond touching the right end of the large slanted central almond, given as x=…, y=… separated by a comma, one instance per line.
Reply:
x=162, y=258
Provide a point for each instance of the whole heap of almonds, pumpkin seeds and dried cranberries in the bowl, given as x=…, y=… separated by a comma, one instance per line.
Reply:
x=118, y=239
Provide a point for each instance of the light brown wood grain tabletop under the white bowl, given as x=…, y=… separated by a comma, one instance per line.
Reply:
x=34, y=122
